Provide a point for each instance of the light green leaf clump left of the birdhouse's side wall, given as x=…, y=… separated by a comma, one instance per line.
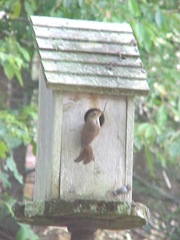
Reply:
x=16, y=128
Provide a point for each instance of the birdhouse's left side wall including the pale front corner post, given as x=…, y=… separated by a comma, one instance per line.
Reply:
x=49, y=143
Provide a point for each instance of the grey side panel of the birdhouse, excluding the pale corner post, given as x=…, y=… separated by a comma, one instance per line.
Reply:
x=42, y=175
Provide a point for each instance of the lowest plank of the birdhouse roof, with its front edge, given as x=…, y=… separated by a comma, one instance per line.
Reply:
x=100, y=84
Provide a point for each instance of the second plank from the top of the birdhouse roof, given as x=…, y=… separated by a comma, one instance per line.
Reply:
x=84, y=35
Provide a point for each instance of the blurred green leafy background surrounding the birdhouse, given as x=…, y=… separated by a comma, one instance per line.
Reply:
x=156, y=26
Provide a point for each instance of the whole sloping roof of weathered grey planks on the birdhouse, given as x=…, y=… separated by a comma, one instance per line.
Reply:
x=89, y=56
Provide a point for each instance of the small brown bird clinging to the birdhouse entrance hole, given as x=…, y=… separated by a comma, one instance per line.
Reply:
x=94, y=120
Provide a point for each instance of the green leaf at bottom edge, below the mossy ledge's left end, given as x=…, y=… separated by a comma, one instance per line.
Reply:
x=26, y=233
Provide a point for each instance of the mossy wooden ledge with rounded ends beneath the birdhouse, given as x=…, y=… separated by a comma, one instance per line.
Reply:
x=83, y=213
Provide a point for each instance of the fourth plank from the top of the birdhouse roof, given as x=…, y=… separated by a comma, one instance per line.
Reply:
x=99, y=59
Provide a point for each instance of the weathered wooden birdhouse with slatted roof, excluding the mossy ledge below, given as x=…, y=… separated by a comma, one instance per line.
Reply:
x=86, y=67
